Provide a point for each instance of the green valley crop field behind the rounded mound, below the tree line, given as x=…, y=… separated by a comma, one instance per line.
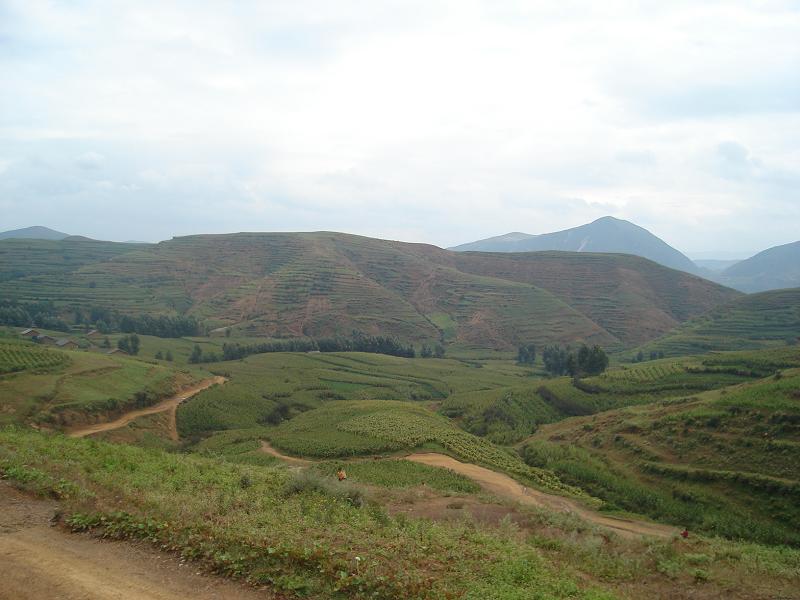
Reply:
x=269, y=388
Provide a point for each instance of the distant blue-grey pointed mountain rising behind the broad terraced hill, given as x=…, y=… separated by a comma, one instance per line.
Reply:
x=603, y=235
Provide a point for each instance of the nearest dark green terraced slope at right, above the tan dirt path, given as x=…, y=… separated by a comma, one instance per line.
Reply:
x=722, y=462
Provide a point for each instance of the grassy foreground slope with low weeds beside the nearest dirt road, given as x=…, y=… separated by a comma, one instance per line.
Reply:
x=306, y=537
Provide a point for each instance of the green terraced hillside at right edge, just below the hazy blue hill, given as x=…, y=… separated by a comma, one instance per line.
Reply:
x=756, y=321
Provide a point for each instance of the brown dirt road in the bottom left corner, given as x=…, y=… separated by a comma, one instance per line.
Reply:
x=39, y=561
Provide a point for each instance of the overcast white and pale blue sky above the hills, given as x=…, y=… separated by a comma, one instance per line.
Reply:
x=432, y=121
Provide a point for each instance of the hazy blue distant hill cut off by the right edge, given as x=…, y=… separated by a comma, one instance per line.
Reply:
x=772, y=269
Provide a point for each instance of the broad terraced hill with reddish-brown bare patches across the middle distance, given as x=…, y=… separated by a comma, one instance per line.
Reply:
x=323, y=284
